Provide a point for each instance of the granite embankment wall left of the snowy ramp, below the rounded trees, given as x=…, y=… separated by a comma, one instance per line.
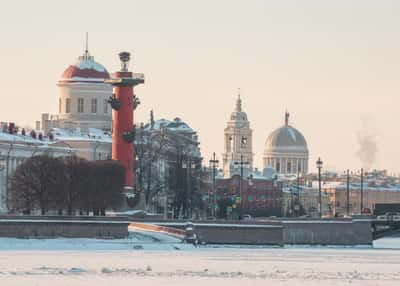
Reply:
x=63, y=226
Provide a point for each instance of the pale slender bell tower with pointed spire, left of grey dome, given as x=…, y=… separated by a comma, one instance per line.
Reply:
x=237, y=142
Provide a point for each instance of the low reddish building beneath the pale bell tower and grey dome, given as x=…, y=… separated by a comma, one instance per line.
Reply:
x=261, y=197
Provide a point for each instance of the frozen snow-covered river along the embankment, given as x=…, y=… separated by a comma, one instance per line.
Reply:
x=158, y=260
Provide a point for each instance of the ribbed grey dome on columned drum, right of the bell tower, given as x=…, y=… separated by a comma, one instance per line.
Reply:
x=286, y=150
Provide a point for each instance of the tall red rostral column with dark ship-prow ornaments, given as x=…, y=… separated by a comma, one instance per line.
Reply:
x=123, y=103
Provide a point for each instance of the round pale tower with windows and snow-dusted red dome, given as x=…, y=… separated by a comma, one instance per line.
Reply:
x=83, y=97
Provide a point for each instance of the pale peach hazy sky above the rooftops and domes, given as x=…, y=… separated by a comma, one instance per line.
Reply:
x=333, y=64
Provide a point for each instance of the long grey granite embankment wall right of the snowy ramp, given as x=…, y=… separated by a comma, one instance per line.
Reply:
x=281, y=232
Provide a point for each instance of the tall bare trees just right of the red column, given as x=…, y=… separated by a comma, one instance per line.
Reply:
x=168, y=166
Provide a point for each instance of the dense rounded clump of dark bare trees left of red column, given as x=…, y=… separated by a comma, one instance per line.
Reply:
x=66, y=186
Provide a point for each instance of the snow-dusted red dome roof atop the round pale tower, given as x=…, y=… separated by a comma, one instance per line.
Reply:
x=85, y=69
